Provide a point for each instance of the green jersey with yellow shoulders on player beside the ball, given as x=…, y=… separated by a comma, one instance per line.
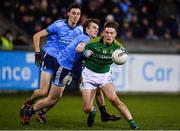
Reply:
x=102, y=59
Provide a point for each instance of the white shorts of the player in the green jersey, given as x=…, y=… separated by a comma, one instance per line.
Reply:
x=92, y=80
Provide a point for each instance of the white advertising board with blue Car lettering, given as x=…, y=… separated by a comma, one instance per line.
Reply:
x=148, y=73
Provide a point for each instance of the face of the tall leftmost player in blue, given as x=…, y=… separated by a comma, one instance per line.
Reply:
x=74, y=15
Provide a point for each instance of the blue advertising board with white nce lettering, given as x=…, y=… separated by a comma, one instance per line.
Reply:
x=17, y=71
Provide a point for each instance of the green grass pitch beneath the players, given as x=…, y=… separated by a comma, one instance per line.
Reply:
x=153, y=112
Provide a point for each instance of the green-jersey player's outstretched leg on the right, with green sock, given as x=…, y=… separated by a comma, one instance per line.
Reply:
x=110, y=92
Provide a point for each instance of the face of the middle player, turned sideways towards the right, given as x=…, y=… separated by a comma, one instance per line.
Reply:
x=92, y=30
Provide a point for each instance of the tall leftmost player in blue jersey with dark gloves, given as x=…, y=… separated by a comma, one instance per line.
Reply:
x=60, y=34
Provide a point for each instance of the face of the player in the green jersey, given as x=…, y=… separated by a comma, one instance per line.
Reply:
x=109, y=35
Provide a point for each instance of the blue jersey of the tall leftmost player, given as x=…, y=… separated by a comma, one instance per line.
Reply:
x=60, y=35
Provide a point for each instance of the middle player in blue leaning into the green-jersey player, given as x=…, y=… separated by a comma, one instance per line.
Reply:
x=66, y=58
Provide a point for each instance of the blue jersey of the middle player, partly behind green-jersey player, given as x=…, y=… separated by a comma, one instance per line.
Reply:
x=68, y=56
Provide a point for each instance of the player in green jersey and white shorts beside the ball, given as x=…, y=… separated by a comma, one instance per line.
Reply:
x=97, y=74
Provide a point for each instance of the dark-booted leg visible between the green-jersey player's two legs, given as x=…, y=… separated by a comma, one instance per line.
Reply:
x=105, y=116
